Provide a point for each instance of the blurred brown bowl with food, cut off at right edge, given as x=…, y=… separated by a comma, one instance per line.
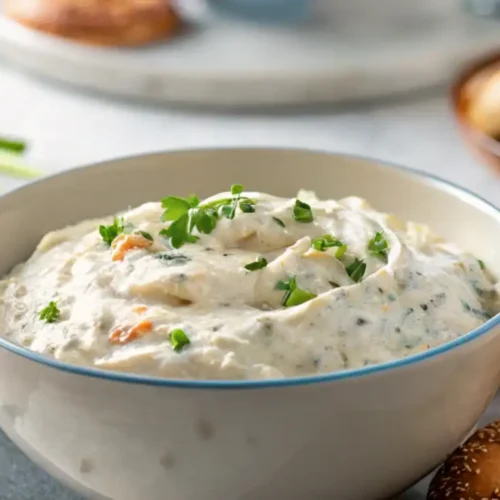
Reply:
x=476, y=104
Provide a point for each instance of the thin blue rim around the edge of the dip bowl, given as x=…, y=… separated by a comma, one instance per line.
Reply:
x=131, y=378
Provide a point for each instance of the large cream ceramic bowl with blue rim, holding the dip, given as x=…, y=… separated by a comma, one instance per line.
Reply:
x=358, y=434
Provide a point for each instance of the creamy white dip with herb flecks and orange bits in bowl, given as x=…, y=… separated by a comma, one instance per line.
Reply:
x=115, y=307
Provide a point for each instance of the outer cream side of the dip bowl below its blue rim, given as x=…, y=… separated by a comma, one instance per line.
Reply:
x=367, y=437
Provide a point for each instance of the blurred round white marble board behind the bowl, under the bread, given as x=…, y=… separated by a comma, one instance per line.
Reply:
x=348, y=50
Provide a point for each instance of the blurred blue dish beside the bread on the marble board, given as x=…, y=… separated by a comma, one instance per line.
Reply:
x=269, y=11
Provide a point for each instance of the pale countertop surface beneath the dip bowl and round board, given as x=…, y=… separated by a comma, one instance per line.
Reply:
x=66, y=129
